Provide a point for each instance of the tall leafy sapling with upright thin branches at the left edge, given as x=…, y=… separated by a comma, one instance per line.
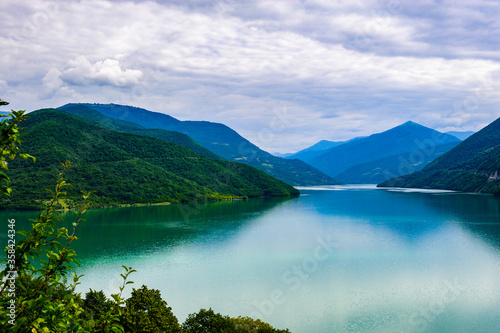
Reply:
x=34, y=293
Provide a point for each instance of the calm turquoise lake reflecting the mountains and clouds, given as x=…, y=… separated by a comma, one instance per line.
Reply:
x=336, y=259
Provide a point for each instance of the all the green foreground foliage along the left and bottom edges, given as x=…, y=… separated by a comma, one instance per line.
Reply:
x=35, y=295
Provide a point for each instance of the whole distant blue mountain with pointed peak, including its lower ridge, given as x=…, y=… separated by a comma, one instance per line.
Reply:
x=373, y=159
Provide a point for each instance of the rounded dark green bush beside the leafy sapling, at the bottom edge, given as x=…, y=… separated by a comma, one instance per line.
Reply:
x=147, y=312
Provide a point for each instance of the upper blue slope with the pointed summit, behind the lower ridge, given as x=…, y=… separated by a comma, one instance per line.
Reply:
x=407, y=137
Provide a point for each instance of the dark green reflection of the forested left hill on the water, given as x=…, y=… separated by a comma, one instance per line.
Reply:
x=144, y=229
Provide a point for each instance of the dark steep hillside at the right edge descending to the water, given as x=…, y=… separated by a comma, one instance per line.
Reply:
x=472, y=166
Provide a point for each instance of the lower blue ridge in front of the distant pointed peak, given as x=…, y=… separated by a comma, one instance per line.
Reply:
x=389, y=167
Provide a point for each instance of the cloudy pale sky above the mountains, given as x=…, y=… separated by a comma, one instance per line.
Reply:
x=284, y=74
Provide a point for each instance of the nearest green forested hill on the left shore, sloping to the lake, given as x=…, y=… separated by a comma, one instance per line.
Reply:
x=124, y=168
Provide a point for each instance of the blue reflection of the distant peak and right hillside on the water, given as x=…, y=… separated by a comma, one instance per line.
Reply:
x=412, y=214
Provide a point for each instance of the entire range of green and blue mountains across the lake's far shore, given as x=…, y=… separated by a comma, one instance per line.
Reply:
x=192, y=152
